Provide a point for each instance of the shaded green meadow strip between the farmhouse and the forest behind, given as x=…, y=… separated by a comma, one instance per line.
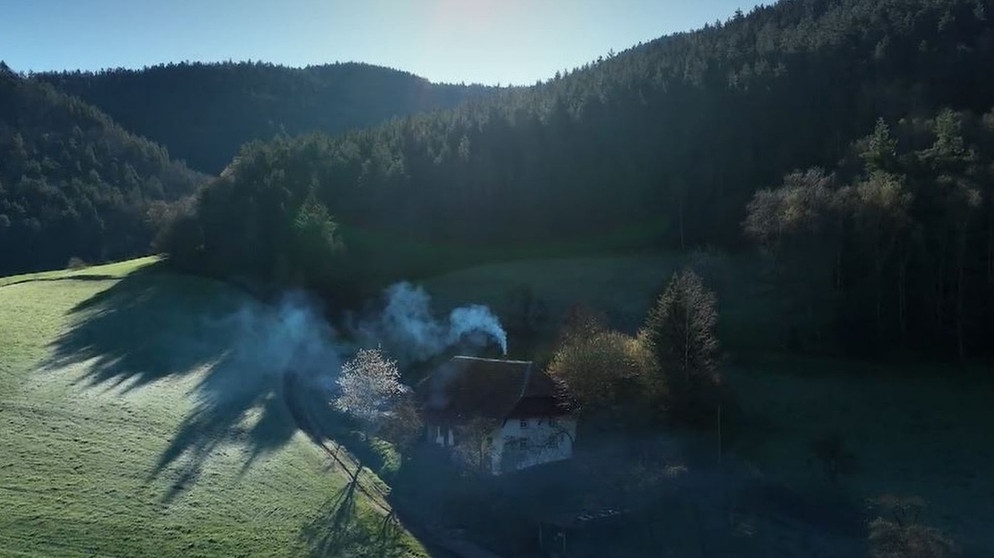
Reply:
x=622, y=288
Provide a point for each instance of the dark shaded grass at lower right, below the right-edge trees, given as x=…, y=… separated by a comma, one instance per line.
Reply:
x=917, y=430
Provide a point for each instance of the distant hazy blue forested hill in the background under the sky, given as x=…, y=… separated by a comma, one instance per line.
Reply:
x=204, y=112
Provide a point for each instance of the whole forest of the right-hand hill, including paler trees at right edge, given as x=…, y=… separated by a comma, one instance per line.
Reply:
x=695, y=139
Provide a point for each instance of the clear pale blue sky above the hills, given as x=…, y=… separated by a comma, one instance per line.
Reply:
x=473, y=41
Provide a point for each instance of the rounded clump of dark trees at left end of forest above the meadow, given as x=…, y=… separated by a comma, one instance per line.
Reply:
x=261, y=221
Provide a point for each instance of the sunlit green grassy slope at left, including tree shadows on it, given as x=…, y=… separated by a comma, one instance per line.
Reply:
x=135, y=425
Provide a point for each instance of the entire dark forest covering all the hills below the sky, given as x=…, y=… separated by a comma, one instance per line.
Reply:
x=849, y=141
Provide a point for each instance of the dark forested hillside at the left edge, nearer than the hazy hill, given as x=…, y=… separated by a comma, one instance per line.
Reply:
x=75, y=184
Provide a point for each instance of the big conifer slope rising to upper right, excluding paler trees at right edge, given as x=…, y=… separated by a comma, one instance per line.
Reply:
x=684, y=128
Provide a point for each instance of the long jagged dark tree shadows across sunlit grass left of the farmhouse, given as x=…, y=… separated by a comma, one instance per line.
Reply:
x=152, y=327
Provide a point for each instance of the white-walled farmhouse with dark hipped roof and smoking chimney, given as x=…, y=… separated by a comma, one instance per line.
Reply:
x=497, y=415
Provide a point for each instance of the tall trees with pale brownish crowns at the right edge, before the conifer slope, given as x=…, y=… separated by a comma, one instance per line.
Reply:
x=895, y=248
